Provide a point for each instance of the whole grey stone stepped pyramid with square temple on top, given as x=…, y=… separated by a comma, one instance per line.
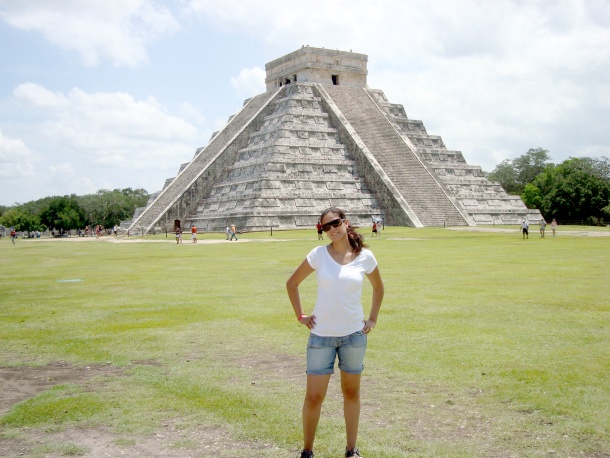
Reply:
x=320, y=137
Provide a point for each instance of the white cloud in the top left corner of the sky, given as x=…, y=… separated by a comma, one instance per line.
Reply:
x=95, y=29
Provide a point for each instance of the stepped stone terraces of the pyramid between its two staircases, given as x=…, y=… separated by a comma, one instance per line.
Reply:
x=292, y=168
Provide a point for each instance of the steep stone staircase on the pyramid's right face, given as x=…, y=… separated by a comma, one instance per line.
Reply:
x=407, y=172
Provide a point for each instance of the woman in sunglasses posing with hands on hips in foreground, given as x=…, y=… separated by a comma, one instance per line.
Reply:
x=337, y=325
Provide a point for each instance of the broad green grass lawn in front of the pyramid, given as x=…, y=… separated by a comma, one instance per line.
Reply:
x=487, y=345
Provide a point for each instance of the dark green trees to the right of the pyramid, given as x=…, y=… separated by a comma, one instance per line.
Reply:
x=578, y=189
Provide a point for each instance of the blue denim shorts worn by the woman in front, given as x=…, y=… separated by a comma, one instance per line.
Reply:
x=322, y=352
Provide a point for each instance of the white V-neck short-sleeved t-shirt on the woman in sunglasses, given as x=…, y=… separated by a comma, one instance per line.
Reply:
x=338, y=309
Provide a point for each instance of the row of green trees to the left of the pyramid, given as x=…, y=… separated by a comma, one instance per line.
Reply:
x=63, y=213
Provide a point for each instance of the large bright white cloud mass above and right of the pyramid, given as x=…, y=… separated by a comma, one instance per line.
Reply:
x=493, y=78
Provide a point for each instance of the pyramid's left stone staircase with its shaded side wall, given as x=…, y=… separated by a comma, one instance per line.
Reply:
x=179, y=198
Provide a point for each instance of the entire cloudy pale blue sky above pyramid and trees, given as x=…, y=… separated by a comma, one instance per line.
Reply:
x=118, y=93
